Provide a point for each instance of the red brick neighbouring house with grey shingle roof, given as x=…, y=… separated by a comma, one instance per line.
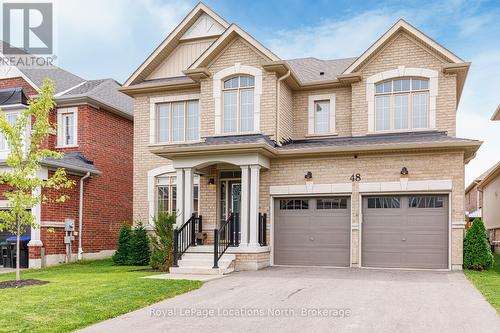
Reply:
x=94, y=131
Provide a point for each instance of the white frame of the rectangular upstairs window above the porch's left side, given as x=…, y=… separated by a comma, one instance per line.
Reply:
x=153, y=111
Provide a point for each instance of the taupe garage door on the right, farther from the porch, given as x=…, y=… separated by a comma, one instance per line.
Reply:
x=405, y=231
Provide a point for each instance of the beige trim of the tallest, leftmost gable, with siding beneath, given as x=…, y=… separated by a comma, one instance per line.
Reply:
x=172, y=40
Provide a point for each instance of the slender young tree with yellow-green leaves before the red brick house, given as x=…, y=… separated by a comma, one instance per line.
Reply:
x=25, y=139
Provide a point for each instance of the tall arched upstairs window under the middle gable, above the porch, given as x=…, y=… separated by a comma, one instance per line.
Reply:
x=238, y=104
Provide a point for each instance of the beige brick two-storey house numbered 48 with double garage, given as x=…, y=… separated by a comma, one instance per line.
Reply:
x=346, y=162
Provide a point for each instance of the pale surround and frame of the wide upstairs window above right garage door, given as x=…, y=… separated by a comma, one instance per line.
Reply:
x=403, y=72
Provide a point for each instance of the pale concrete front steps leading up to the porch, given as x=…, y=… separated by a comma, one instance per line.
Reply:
x=200, y=260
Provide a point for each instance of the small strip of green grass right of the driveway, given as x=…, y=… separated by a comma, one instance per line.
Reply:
x=488, y=283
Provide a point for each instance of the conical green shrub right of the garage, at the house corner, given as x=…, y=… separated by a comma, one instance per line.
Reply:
x=477, y=251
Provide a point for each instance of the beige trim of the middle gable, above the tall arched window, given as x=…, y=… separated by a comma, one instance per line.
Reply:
x=228, y=35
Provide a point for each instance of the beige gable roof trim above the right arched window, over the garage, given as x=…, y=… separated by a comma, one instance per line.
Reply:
x=402, y=25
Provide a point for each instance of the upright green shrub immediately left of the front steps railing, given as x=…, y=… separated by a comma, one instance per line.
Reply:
x=162, y=241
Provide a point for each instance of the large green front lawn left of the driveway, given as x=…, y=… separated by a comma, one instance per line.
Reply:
x=81, y=294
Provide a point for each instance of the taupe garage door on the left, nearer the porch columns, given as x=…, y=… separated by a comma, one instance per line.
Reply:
x=312, y=231
